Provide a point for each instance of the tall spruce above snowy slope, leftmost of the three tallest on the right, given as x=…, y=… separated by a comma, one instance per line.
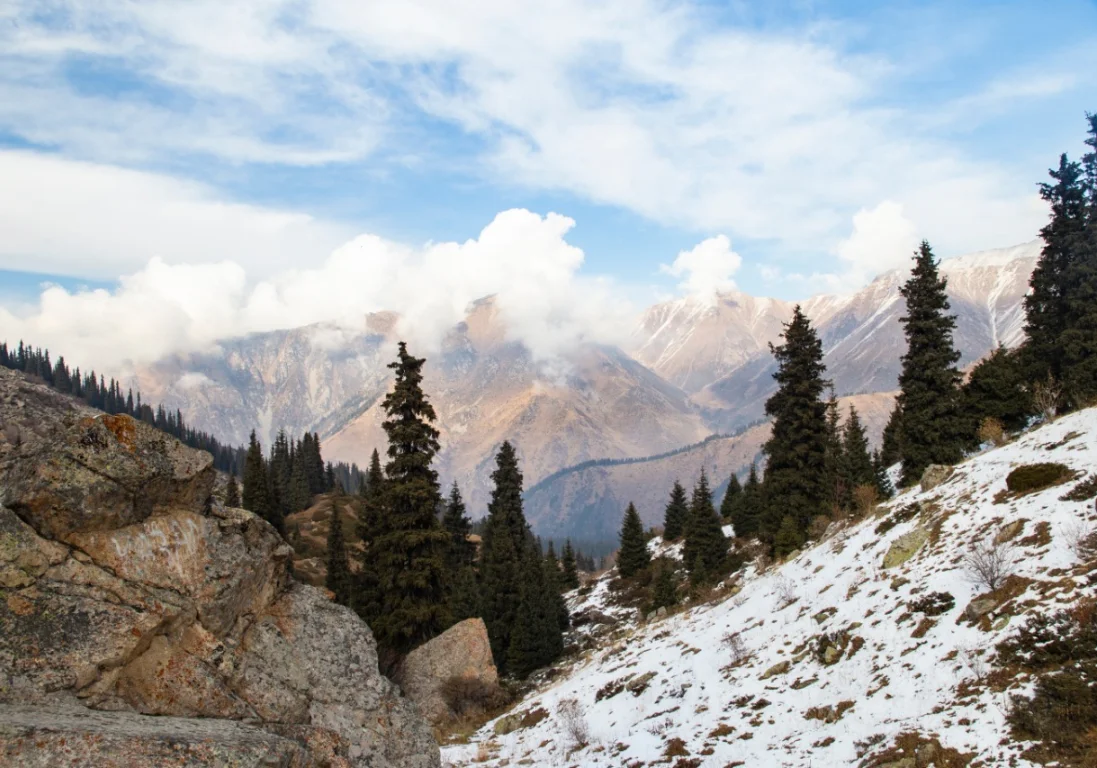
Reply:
x=796, y=473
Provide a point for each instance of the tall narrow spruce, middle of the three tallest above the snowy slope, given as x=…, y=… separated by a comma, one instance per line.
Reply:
x=935, y=427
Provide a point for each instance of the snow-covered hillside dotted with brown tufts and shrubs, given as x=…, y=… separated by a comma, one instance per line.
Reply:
x=835, y=659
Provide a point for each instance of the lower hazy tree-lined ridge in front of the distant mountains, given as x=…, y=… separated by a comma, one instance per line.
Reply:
x=589, y=503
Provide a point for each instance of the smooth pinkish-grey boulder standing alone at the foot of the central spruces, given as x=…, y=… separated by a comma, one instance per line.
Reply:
x=463, y=651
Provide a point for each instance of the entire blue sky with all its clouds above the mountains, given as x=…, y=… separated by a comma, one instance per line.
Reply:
x=223, y=168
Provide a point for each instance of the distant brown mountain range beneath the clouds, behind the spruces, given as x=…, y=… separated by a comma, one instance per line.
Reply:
x=692, y=369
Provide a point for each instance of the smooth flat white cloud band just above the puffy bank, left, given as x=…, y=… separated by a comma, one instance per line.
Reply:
x=66, y=218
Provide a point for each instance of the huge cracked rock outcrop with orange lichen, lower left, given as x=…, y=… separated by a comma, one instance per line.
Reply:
x=125, y=589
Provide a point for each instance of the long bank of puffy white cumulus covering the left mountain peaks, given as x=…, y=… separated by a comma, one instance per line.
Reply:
x=523, y=259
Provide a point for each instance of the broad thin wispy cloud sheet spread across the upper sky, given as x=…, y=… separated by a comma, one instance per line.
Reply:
x=650, y=106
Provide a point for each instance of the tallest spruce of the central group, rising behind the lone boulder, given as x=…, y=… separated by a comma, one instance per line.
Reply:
x=411, y=550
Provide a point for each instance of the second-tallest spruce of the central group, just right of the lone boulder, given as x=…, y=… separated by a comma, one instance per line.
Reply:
x=502, y=554
